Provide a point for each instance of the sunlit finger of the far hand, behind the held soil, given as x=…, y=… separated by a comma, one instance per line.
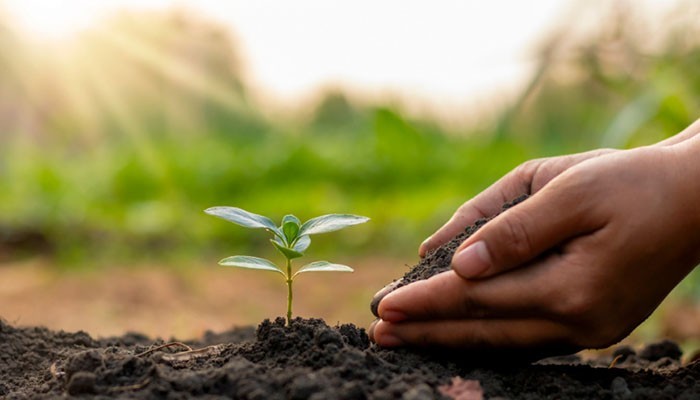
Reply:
x=485, y=204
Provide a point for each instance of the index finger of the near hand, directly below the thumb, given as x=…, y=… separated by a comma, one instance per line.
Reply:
x=521, y=293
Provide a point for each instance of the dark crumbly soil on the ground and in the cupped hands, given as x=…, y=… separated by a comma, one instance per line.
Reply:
x=311, y=360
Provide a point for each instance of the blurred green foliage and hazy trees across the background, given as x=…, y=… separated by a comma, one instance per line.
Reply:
x=112, y=145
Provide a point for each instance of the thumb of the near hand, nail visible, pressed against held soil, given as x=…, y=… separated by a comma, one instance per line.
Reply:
x=522, y=233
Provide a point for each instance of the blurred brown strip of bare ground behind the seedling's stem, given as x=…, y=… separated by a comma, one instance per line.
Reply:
x=162, y=301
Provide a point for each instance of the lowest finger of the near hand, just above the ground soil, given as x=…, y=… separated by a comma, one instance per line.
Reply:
x=474, y=334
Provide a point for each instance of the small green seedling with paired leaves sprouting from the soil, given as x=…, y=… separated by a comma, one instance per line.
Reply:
x=292, y=238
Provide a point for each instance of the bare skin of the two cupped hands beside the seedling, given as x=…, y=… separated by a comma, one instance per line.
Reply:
x=603, y=238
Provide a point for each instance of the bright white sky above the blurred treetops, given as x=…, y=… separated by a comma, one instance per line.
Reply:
x=446, y=54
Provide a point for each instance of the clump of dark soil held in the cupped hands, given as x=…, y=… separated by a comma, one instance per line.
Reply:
x=438, y=260
